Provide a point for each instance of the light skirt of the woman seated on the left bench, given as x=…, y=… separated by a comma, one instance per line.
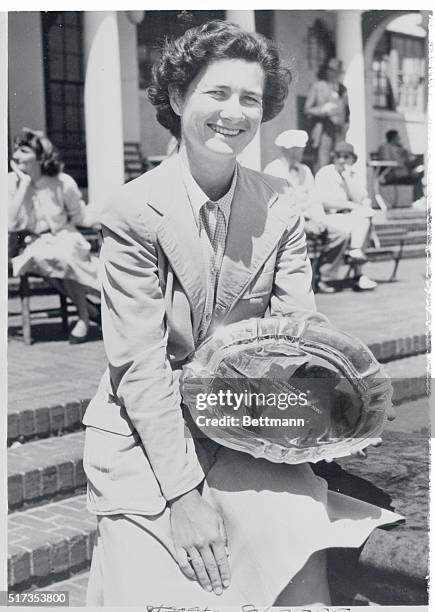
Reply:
x=66, y=254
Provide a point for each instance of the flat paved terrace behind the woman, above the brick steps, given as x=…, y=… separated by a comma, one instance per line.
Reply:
x=51, y=371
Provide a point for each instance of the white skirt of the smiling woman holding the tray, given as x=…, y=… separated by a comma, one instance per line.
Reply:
x=276, y=516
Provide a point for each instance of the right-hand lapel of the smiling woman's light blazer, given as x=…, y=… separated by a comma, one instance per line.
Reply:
x=257, y=222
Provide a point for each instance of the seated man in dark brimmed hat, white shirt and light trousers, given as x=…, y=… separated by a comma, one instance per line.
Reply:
x=342, y=193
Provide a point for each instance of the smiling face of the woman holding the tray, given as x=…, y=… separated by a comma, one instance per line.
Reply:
x=222, y=109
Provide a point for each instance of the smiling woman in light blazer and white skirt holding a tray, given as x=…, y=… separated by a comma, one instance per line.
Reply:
x=195, y=244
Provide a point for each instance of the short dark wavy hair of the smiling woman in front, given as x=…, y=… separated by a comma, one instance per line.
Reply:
x=184, y=57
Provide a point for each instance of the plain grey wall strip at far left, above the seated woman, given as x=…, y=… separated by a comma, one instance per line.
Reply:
x=26, y=79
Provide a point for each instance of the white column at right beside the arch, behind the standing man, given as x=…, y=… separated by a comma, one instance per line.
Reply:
x=350, y=51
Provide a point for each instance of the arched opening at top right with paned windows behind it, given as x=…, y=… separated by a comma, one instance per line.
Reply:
x=396, y=67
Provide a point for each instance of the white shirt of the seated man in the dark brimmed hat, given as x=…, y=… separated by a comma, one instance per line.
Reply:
x=332, y=188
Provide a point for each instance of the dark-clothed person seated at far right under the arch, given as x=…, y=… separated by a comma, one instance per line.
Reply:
x=410, y=167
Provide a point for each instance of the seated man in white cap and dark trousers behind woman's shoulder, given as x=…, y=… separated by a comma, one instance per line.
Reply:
x=288, y=166
